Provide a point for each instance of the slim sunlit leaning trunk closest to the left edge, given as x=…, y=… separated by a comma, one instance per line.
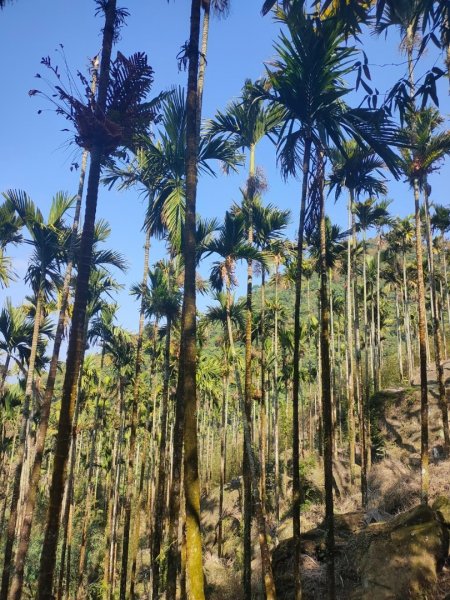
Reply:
x=20, y=456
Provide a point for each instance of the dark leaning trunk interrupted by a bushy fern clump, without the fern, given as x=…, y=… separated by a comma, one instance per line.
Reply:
x=76, y=338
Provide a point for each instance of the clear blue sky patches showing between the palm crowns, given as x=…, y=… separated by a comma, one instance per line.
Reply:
x=34, y=152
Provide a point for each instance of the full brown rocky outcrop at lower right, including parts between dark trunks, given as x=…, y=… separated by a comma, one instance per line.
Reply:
x=397, y=559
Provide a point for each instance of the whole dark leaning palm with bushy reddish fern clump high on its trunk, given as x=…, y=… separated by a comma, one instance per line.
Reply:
x=108, y=121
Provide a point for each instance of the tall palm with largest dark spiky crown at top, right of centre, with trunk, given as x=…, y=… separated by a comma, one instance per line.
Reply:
x=306, y=79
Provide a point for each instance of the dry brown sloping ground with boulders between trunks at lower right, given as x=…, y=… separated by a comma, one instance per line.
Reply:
x=374, y=559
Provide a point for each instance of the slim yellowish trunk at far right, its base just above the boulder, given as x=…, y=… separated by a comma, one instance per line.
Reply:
x=424, y=458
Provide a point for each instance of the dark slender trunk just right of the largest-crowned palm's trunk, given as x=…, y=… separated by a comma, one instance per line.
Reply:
x=326, y=403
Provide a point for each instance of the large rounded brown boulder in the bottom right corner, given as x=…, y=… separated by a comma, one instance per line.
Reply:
x=399, y=559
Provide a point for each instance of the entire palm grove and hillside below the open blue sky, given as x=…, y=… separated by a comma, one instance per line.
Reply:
x=292, y=439
